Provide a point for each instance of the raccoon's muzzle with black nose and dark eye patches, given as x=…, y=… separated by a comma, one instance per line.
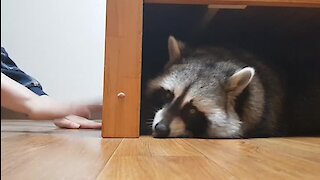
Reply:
x=173, y=117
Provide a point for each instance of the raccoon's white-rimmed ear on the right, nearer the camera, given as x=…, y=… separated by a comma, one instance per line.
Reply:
x=240, y=80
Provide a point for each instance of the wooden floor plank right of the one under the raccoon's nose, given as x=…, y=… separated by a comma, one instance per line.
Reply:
x=247, y=159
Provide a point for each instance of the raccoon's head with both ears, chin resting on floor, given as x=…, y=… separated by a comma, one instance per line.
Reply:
x=194, y=100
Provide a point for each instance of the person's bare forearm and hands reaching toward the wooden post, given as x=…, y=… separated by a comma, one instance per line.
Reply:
x=18, y=98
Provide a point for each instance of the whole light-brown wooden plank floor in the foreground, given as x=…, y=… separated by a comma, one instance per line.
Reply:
x=38, y=150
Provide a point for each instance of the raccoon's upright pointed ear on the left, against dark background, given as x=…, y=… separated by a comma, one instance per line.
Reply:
x=175, y=47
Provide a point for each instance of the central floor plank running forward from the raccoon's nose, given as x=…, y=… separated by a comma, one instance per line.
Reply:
x=149, y=158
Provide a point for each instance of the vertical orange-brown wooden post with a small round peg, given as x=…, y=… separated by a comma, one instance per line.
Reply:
x=122, y=73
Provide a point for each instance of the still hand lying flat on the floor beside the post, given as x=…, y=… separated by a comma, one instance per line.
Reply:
x=75, y=122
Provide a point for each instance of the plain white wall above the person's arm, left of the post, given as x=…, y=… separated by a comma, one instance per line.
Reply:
x=59, y=42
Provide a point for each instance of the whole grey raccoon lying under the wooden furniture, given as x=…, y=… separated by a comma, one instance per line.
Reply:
x=215, y=93
